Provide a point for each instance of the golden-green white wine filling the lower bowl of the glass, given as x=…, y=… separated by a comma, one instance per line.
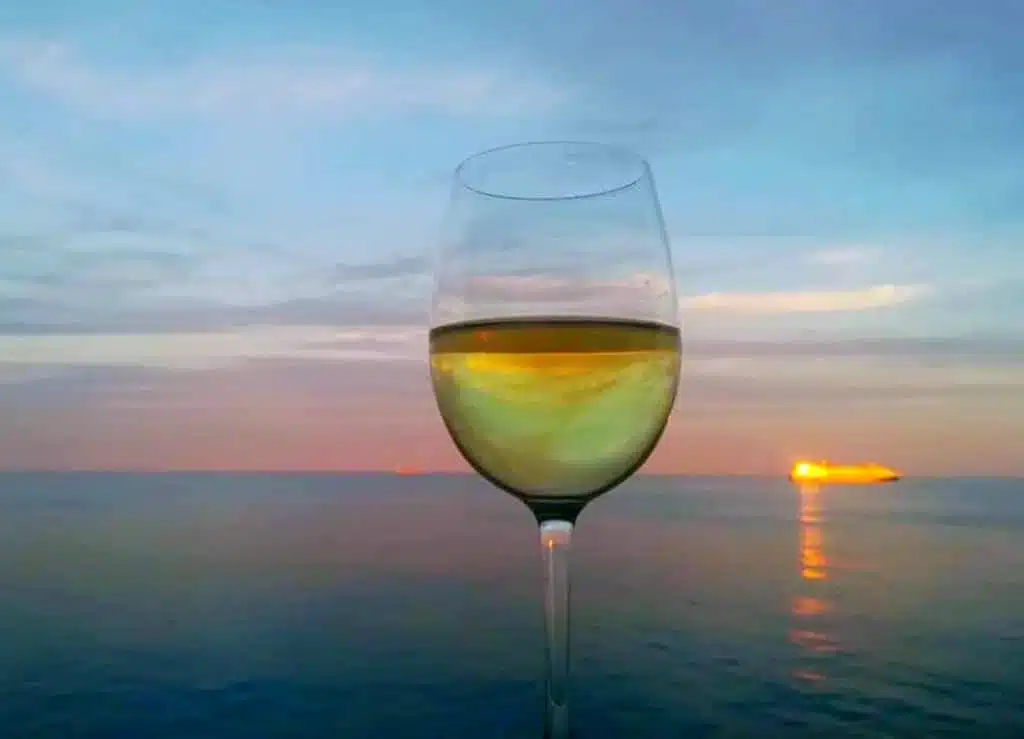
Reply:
x=556, y=408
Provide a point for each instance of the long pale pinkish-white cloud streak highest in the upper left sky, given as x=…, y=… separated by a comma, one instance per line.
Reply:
x=294, y=82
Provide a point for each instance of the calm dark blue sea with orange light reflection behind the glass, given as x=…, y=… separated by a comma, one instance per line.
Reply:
x=315, y=606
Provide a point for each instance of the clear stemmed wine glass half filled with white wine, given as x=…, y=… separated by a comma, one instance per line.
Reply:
x=554, y=341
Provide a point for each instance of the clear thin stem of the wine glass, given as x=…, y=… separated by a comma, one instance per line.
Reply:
x=557, y=541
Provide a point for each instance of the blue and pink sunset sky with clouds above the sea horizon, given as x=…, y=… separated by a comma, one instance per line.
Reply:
x=218, y=222
